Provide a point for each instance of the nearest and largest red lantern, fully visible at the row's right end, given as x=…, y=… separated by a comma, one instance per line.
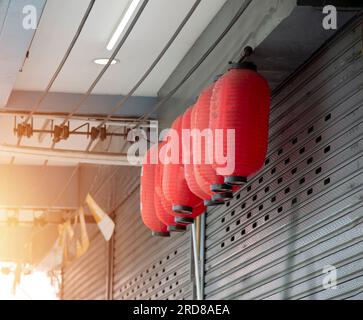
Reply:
x=241, y=102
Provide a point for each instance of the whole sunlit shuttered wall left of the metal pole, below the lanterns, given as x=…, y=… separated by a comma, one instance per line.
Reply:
x=133, y=265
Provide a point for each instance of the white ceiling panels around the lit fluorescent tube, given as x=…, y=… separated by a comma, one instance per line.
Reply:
x=154, y=28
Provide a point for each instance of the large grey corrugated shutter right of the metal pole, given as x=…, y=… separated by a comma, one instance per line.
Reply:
x=303, y=211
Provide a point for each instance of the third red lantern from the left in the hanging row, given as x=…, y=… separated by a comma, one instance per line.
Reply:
x=175, y=187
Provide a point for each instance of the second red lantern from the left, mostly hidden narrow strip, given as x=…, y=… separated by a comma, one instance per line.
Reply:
x=162, y=206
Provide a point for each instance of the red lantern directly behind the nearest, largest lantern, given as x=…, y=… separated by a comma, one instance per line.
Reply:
x=205, y=174
